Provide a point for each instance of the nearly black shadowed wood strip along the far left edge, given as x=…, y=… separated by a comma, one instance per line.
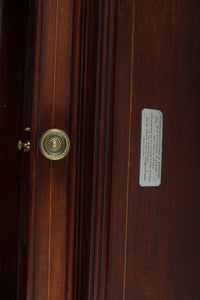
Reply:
x=13, y=30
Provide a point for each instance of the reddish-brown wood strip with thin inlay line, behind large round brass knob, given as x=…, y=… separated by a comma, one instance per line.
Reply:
x=51, y=214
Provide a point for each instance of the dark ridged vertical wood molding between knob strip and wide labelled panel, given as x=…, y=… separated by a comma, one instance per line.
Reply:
x=96, y=148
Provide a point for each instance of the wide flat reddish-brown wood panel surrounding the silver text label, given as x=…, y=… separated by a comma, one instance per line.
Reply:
x=154, y=233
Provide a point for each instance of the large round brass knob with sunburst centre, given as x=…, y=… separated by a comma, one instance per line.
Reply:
x=54, y=144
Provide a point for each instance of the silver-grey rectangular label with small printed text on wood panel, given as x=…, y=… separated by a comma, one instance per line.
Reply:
x=151, y=147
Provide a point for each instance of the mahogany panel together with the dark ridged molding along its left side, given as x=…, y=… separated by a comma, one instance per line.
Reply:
x=141, y=242
